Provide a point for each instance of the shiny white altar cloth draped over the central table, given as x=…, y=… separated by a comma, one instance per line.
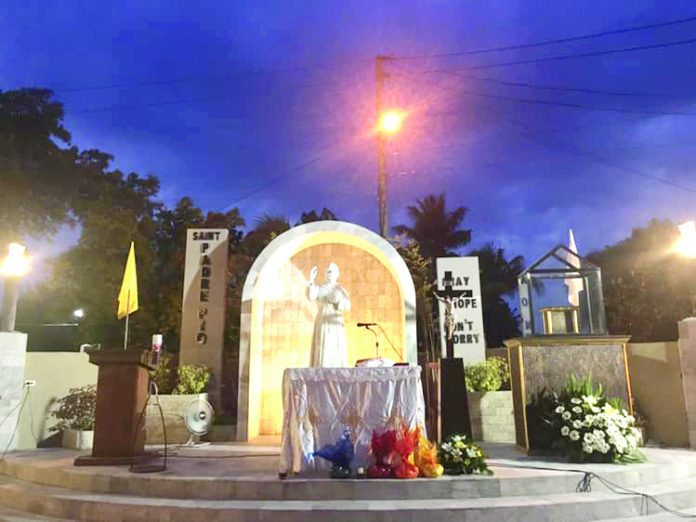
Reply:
x=320, y=403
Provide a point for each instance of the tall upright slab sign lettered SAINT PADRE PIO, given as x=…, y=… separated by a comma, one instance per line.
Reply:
x=203, y=308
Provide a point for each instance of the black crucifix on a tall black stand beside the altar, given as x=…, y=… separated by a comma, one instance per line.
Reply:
x=454, y=403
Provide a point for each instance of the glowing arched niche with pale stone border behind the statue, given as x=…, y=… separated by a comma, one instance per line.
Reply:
x=276, y=317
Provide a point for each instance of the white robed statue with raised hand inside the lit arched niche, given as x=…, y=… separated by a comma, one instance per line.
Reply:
x=329, y=347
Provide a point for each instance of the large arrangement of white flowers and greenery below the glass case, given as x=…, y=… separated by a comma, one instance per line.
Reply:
x=591, y=428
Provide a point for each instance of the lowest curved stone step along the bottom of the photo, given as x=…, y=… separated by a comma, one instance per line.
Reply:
x=574, y=507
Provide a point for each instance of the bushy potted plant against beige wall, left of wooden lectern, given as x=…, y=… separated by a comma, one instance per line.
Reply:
x=75, y=415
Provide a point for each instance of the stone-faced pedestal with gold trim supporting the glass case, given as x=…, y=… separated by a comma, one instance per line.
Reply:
x=545, y=362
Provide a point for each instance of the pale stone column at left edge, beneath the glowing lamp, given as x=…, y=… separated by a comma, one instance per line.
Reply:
x=13, y=353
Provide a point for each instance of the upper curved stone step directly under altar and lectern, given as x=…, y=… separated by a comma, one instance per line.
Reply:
x=196, y=480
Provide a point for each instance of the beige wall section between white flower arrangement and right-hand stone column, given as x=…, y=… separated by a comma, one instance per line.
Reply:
x=656, y=379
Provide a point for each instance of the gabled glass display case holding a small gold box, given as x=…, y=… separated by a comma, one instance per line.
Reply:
x=561, y=294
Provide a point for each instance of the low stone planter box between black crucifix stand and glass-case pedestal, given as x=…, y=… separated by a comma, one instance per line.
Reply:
x=492, y=416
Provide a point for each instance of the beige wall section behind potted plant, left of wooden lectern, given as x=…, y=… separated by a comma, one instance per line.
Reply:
x=55, y=373
